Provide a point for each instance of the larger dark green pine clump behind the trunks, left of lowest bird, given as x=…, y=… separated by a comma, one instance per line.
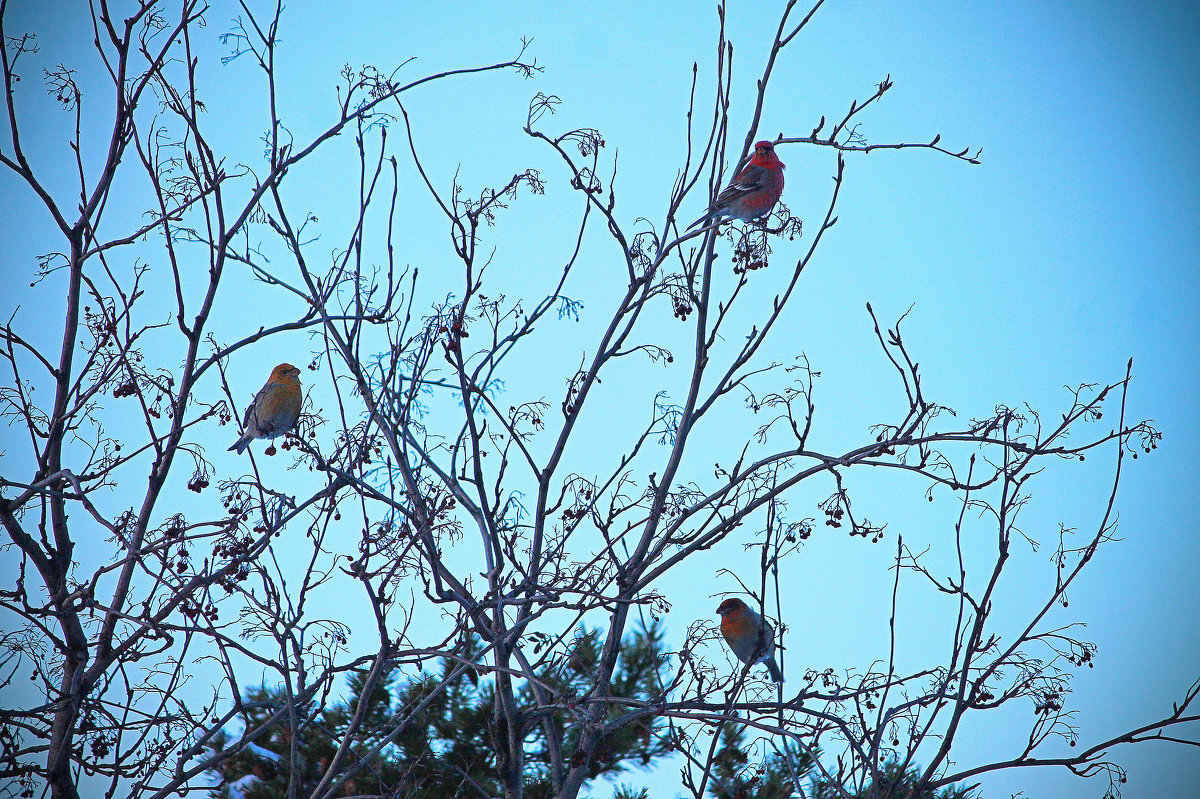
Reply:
x=446, y=750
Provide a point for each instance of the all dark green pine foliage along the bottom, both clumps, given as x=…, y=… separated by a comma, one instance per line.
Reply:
x=446, y=750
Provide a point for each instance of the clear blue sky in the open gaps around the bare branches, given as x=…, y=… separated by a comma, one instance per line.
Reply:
x=1073, y=248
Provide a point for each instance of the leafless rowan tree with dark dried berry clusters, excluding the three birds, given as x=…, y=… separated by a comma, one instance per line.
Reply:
x=483, y=467
